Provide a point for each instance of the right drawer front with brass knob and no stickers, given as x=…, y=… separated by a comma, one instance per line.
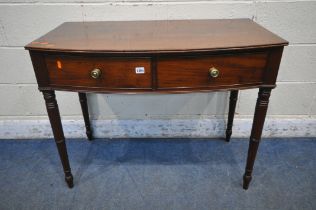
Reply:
x=194, y=72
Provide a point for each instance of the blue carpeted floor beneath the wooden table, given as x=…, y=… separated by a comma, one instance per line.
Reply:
x=158, y=174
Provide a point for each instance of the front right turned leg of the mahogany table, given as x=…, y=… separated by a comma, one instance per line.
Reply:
x=256, y=131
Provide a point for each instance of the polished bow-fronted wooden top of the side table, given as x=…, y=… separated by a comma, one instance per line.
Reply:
x=156, y=36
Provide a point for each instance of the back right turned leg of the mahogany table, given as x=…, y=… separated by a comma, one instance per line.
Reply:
x=231, y=113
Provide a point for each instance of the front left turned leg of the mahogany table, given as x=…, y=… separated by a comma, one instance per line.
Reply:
x=54, y=118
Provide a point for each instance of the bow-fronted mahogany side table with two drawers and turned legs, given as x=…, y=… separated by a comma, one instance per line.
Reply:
x=173, y=56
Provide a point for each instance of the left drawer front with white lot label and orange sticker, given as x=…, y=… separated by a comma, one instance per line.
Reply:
x=114, y=73
